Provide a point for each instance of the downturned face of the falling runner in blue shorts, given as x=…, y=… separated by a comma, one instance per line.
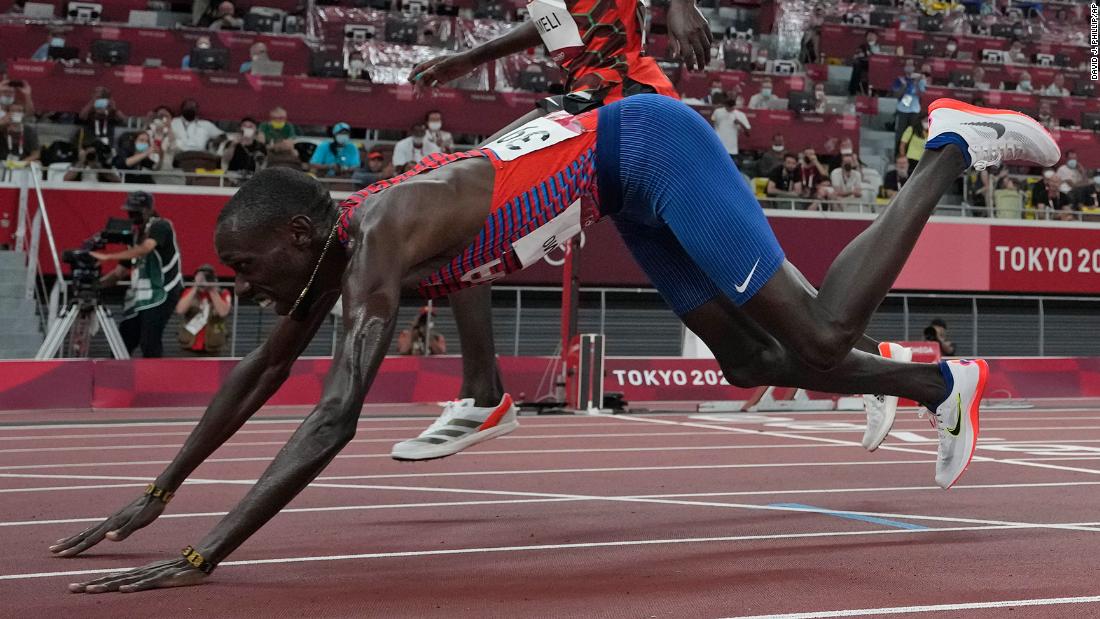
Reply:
x=271, y=269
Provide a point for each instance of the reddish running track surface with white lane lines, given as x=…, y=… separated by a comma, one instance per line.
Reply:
x=629, y=516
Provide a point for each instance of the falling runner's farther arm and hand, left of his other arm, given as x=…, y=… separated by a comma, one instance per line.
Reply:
x=246, y=390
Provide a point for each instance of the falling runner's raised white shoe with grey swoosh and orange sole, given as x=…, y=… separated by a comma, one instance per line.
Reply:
x=993, y=136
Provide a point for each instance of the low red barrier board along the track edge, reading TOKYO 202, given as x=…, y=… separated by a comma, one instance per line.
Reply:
x=157, y=383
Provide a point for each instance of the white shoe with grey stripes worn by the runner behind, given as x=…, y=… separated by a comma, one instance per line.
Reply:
x=463, y=425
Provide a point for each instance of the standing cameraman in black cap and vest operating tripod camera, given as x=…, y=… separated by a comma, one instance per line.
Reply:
x=155, y=274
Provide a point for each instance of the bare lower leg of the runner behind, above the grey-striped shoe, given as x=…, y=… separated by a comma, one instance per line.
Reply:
x=481, y=375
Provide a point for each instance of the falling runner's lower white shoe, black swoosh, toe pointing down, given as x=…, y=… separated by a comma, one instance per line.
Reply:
x=958, y=418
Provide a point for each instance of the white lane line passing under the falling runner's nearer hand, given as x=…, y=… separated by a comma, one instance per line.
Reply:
x=618, y=544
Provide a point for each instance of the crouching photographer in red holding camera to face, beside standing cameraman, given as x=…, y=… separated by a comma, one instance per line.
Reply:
x=203, y=311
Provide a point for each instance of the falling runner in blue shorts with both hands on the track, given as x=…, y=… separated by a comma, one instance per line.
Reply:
x=688, y=217
